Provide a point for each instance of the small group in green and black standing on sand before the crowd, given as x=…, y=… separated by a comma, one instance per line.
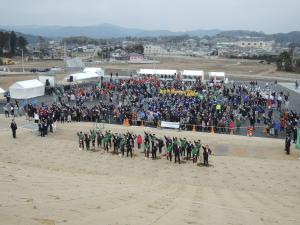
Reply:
x=119, y=143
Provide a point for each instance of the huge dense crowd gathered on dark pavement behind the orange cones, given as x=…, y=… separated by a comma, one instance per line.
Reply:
x=209, y=106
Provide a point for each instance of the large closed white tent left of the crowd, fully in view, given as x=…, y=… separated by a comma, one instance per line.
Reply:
x=27, y=89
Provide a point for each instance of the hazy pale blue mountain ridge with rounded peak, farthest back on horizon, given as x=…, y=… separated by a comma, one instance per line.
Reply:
x=102, y=31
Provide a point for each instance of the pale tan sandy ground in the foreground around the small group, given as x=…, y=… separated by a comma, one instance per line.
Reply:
x=49, y=181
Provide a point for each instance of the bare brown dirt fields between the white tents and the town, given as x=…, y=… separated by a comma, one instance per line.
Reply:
x=235, y=69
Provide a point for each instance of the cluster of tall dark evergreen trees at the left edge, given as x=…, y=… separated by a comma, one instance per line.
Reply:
x=11, y=44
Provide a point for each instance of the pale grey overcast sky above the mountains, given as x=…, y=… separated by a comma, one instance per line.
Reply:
x=176, y=15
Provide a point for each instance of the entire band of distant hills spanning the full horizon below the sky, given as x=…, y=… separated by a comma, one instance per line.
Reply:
x=31, y=33
